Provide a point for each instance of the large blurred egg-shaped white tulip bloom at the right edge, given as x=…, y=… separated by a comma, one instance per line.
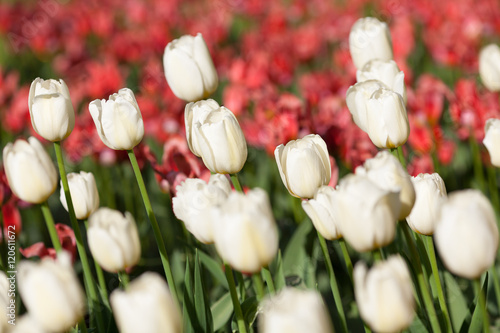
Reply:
x=466, y=234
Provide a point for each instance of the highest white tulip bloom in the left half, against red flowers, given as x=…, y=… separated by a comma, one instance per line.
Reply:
x=189, y=69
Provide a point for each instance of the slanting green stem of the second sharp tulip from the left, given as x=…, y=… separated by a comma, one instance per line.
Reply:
x=154, y=225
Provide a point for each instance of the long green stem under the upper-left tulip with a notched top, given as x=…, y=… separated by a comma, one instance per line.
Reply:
x=91, y=287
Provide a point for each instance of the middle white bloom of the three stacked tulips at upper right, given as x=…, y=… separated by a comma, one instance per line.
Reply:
x=384, y=71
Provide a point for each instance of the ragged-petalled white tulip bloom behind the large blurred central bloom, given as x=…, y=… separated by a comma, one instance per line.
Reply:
x=193, y=203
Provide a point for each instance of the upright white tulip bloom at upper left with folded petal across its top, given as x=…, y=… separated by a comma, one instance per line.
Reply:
x=51, y=111
